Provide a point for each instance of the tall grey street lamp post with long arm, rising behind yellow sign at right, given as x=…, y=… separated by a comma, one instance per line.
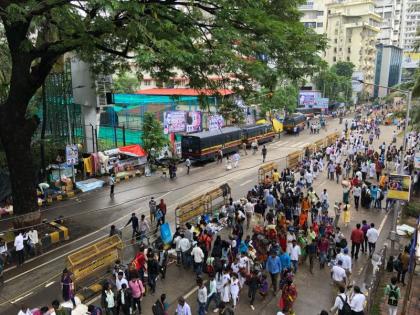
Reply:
x=397, y=207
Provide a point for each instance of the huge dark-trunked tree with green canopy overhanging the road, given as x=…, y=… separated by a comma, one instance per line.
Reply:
x=200, y=38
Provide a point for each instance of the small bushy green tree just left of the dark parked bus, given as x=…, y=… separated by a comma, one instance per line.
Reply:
x=153, y=136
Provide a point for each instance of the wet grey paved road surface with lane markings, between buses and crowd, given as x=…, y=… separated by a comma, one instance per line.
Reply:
x=91, y=214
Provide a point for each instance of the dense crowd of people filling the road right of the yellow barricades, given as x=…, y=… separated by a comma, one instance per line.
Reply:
x=281, y=225
